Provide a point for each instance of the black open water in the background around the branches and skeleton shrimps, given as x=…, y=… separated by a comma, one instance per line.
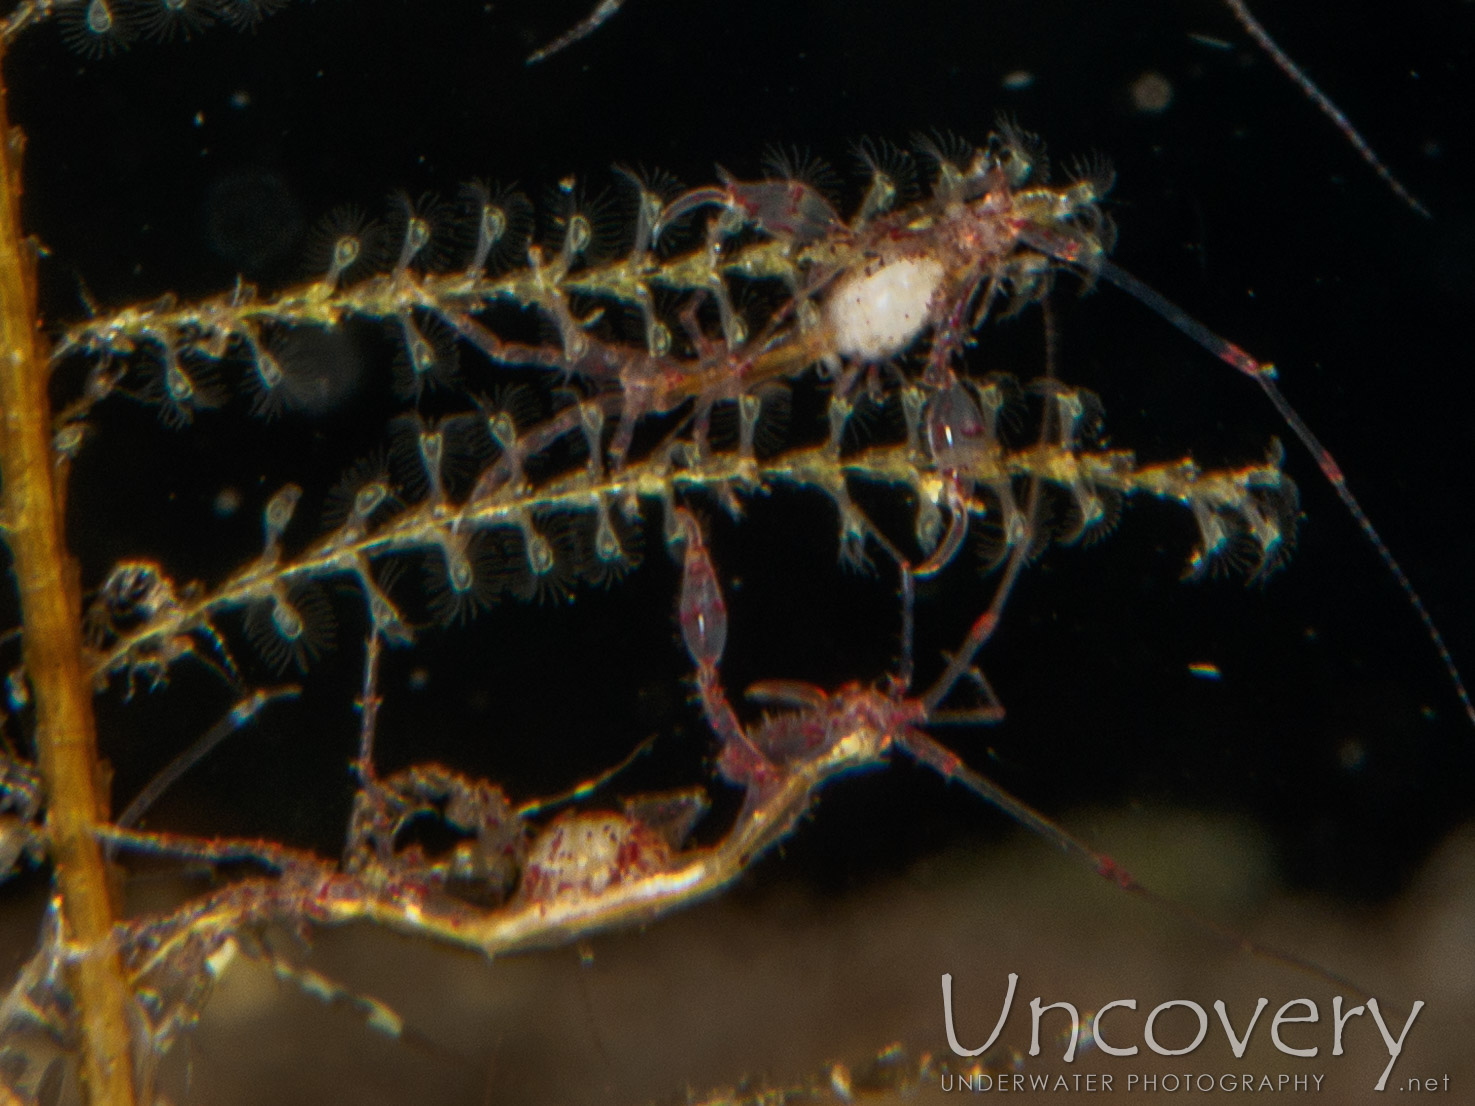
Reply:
x=175, y=166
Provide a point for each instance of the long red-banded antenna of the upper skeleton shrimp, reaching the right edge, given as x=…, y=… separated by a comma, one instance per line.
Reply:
x=1265, y=375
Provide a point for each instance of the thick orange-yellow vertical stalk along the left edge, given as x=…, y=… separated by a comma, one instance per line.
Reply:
x=66, y=732
